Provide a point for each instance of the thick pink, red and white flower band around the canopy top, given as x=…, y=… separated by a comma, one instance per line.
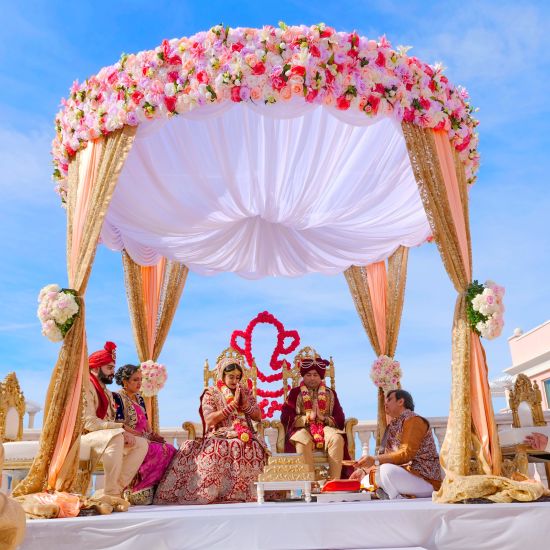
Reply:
x=265, y=66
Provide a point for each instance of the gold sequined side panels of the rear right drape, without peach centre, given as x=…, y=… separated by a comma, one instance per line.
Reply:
x=396, y=276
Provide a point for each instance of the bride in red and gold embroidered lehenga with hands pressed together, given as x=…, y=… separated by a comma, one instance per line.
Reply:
x=225, y=463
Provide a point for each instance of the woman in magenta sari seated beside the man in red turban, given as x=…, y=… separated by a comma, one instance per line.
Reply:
x=130, y=409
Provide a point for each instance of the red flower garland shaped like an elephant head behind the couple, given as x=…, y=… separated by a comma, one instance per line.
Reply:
x=276, y=363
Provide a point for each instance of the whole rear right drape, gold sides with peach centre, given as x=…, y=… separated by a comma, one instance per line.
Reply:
x=378, y=293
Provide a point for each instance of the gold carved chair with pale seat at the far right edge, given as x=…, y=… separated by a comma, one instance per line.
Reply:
x=525, y=400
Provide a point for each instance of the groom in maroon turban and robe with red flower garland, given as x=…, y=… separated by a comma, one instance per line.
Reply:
x=313, y=418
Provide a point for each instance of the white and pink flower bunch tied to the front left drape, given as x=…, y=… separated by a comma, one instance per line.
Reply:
x=57, y=311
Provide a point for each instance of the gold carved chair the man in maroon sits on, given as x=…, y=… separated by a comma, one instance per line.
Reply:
x=292, y=377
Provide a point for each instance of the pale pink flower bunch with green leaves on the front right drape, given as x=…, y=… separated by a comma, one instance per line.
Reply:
x=485, y=309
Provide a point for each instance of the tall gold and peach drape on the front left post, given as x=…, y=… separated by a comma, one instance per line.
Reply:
x=65, y=380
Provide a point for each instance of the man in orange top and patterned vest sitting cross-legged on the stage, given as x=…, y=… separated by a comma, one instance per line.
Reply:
x=408, y=464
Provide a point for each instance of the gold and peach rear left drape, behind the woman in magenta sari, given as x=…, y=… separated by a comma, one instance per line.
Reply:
x=168, y=279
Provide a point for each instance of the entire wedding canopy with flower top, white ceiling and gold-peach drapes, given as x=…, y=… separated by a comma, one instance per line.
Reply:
x=276, y=151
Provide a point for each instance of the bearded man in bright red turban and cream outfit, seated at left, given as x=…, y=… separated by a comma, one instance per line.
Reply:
x=120, y=447
